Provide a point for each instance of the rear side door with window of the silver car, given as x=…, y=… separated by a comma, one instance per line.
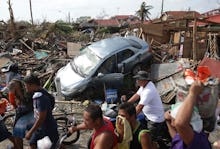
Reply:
x=126, y=60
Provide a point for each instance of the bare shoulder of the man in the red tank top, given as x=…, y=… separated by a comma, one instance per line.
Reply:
x=104, y=140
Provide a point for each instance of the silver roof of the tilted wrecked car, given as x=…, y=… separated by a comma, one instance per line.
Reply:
x=107, y=46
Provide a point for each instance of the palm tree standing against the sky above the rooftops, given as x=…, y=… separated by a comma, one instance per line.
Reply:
x=143, y=12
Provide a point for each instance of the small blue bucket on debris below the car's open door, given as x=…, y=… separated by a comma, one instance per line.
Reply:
x=111, y=95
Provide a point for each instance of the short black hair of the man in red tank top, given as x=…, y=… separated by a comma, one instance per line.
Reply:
x=95, y=111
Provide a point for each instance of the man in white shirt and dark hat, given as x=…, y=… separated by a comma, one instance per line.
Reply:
x=149, y=103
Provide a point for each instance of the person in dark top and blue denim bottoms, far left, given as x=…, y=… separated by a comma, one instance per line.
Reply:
x=24, y=115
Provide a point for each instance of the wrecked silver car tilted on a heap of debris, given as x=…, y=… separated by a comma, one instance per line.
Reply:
x=103, y=62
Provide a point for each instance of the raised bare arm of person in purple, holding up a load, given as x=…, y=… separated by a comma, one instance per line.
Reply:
x=183, y=117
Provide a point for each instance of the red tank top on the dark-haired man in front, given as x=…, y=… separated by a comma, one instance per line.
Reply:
x=106, y=127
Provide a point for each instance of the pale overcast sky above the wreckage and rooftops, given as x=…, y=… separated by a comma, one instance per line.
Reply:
x=53, y=10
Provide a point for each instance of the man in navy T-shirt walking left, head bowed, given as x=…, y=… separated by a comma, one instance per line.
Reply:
x=43, y=103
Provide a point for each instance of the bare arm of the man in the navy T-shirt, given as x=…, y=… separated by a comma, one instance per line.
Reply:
x=37, y=124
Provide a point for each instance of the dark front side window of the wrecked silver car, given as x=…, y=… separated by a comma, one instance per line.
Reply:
x=109, y=66
